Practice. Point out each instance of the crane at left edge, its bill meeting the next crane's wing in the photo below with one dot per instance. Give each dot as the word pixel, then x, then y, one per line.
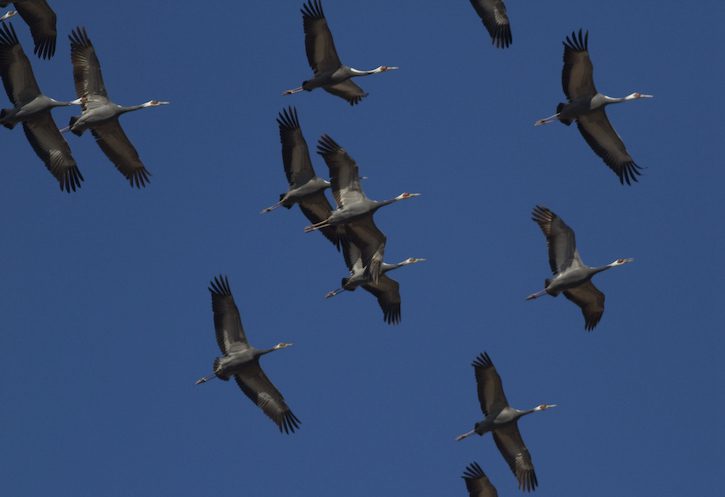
pixel 33 109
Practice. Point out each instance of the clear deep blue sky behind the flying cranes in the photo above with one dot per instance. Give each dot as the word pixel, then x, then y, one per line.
pixel 106 318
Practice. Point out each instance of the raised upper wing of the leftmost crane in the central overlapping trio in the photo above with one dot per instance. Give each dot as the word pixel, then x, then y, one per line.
pixel 295 155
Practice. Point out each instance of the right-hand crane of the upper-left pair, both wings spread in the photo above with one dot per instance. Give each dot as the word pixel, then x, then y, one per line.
pixel 100 115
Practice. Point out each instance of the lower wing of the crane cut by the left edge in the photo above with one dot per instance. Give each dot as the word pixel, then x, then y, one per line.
pixel 53 150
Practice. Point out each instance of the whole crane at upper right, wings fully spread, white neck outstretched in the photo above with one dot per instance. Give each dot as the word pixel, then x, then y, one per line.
pixel 585 105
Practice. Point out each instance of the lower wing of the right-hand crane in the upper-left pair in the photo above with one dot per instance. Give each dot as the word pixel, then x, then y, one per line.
pixel 118 148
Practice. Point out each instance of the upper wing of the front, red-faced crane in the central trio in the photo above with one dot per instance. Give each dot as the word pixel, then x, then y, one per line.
pixel 343 172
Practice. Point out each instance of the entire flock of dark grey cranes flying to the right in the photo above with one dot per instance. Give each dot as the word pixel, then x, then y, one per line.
pixel 350 227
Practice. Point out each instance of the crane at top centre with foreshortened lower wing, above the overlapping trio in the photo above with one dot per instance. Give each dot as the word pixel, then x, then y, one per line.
pixel 330 73
